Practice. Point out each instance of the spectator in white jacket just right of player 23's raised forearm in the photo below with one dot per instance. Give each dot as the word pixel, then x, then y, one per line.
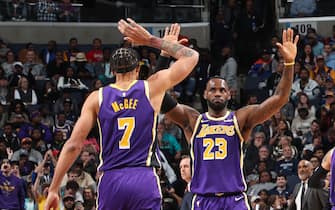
pixel 306 85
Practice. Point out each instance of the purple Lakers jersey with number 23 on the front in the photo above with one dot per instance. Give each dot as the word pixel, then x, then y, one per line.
pixel 216 151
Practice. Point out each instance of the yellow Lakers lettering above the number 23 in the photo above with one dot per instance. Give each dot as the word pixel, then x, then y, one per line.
pixel 215 129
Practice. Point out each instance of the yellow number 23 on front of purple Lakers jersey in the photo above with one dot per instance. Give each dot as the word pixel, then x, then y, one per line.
pixel 209 144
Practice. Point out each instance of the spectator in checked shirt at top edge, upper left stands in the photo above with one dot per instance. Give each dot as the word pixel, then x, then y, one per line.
pixel 47 11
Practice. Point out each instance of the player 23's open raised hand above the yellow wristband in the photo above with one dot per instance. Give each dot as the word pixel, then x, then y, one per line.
pixel 288 49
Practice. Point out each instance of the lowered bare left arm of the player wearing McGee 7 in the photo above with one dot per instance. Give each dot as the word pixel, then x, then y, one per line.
pixel 73 146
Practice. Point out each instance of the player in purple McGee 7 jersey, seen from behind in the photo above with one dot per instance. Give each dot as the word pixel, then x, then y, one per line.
pixel 126 113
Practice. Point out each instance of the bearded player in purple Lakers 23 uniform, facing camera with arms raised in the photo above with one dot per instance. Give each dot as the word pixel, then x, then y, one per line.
pixel 216 137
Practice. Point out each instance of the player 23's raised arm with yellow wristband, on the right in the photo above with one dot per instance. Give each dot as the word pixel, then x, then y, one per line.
pixel 250 116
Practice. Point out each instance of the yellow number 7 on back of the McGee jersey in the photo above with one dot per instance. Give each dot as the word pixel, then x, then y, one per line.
pixel 127 124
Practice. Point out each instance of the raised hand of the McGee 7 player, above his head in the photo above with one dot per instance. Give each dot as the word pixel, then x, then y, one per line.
pixel 133 32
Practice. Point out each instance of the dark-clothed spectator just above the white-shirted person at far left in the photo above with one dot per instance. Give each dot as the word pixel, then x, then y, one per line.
pixel 33 66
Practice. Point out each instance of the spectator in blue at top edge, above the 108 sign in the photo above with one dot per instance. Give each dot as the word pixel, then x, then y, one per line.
pixel 302 8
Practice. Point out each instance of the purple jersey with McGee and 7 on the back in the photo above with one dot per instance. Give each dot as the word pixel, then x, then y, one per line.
pixel 127 124
